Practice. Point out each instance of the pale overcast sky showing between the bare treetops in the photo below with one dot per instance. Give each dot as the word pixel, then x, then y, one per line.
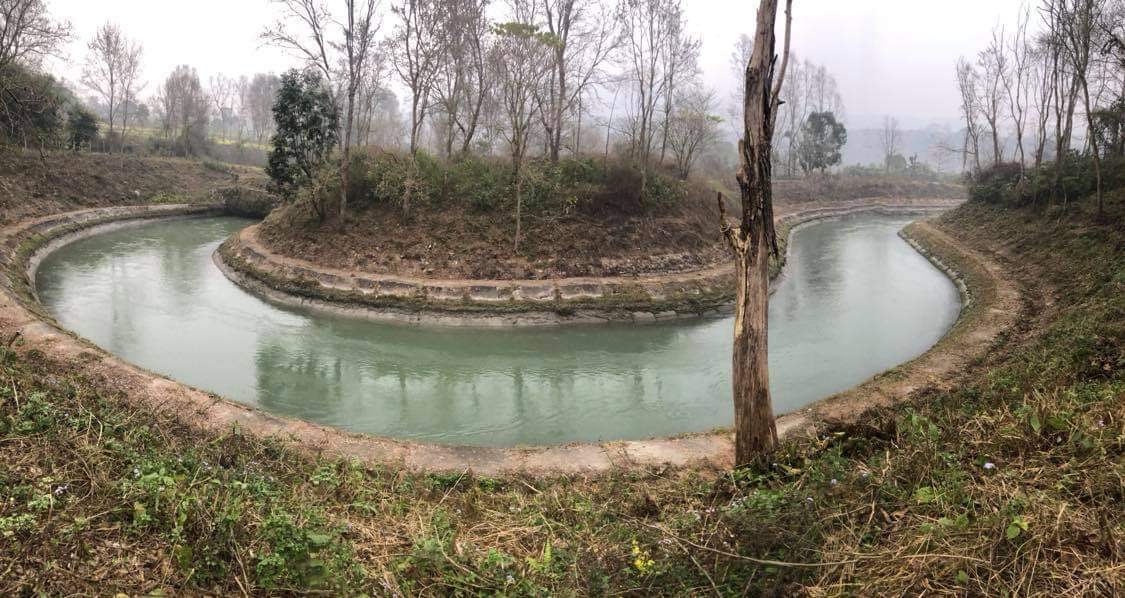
pixel 890 57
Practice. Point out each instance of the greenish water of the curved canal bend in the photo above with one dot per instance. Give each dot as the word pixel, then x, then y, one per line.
pixel 854 301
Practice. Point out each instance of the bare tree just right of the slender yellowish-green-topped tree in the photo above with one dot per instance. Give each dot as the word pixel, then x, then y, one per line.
pixel 587 38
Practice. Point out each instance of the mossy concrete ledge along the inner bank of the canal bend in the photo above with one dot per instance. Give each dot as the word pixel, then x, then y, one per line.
pixel 705 293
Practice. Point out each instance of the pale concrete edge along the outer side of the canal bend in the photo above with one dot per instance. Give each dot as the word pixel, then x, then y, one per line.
pixel 24 246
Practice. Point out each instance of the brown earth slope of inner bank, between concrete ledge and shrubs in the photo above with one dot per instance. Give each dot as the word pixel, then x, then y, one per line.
pixel 457 243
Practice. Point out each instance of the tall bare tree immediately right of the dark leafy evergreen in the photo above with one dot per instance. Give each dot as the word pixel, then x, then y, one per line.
pixel 343 58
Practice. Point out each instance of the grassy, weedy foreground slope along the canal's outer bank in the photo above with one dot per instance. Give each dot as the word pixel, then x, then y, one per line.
pixel 1011 484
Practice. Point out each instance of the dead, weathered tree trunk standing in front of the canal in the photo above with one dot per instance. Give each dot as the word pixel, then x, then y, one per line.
pixel 754 241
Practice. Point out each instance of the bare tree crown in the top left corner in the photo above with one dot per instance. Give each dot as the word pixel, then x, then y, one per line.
pixel 29 34
